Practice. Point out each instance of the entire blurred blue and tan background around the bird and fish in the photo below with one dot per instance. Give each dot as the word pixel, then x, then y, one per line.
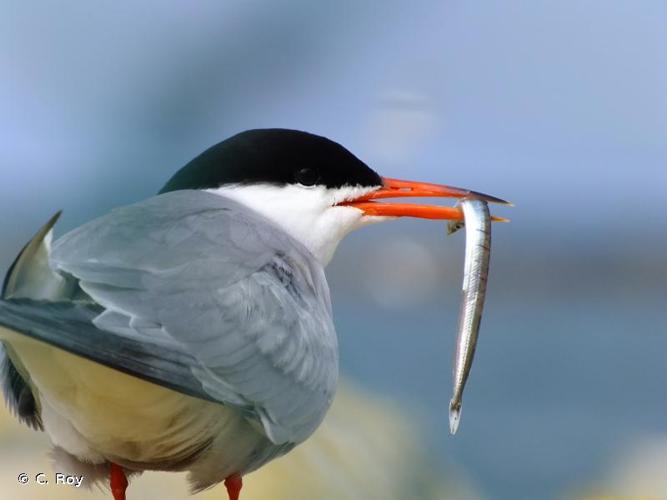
pixel 560 107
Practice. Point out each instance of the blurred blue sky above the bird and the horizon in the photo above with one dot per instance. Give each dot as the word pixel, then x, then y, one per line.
pixel 559 106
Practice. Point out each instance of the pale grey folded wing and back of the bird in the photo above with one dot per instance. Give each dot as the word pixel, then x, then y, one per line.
pixel 199 275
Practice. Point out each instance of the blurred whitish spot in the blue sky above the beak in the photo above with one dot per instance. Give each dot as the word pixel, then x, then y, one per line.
pixel 399 125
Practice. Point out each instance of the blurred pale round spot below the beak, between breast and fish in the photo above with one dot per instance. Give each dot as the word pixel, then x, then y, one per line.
pixel 402 274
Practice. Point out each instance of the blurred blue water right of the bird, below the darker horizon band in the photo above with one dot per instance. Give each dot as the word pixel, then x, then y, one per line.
pixel 559 389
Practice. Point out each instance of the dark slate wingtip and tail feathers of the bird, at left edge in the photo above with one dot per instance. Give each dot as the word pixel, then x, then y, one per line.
pixel 39 303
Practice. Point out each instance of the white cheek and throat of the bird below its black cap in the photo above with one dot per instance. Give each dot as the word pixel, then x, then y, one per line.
pixel 308 214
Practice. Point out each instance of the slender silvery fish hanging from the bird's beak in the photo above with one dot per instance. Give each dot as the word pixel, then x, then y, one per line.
pixel 475 275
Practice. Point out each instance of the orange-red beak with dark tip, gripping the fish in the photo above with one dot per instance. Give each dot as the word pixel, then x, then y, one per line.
pixel 395 188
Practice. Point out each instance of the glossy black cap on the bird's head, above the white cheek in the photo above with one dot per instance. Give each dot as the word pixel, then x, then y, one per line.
pixel 276 157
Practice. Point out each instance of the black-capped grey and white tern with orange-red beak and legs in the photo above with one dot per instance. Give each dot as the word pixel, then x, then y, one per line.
pixel 192 330
